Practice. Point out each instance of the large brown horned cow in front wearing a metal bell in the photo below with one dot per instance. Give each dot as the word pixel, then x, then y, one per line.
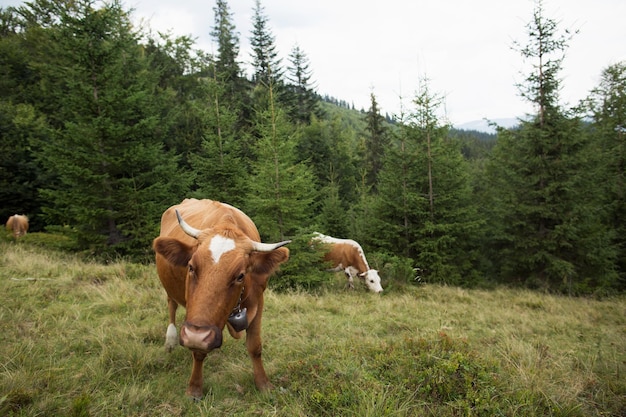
pixel 210 260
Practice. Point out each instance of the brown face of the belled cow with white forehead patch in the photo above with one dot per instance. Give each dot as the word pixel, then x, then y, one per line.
pixel 222 263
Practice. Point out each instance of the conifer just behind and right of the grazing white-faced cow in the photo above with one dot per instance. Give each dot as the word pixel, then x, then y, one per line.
pixel 424 207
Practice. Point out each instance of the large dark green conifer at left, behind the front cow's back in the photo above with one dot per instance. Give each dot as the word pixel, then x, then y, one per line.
pixel 112 178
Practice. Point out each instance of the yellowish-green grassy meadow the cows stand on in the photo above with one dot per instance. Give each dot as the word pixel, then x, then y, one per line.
pixel 85 339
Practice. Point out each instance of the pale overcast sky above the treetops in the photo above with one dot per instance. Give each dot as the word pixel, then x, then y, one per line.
pixel 463 47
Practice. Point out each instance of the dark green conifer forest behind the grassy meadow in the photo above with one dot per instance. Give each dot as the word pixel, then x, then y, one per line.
pixel 104 125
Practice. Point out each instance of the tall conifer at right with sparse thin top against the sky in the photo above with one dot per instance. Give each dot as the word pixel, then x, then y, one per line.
pixel 544 188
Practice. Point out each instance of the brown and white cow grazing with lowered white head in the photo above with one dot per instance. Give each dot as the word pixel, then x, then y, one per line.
pixel 347 255
